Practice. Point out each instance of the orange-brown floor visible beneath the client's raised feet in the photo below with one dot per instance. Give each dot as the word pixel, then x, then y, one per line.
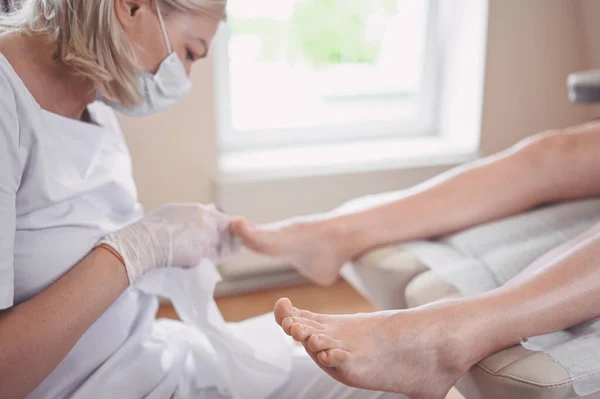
pixel 339 299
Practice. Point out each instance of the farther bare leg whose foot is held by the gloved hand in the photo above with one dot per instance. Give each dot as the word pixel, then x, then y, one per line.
pixel 537 171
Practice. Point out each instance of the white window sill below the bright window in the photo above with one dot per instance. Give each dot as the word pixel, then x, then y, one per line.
pixel 341 158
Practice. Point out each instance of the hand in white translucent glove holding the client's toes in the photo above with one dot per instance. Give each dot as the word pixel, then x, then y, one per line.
pixel 179 235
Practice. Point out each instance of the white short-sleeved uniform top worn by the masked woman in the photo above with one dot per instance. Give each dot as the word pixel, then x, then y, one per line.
pixel 64 184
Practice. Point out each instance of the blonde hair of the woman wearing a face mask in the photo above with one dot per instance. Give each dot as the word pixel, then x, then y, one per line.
pixel 90 40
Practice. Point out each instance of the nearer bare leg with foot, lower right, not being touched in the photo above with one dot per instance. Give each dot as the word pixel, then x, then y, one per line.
pixel 422 352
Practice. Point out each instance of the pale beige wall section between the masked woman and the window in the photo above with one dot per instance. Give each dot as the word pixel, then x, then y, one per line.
pixel 175 153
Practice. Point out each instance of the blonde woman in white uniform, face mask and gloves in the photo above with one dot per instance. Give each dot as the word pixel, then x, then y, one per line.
pixel 72 234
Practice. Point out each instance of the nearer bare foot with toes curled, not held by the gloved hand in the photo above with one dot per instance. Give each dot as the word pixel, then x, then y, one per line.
pixel 409 352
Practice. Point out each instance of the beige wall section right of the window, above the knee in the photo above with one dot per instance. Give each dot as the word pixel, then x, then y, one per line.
pixel 533 45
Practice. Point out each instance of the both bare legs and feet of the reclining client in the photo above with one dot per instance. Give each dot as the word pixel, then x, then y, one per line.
pixel 422 352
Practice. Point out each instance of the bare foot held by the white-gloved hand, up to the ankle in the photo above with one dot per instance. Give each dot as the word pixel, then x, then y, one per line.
pixel 315 248
